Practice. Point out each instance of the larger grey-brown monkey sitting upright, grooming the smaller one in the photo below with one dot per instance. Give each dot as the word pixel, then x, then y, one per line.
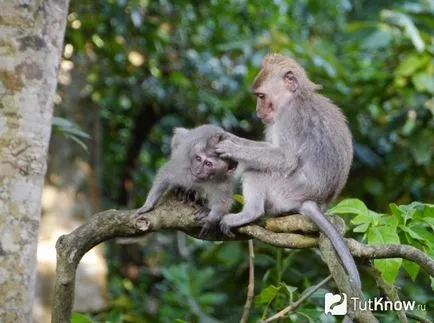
pixel 303 163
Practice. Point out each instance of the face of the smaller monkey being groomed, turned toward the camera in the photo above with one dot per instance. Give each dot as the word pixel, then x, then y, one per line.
pixel 208 167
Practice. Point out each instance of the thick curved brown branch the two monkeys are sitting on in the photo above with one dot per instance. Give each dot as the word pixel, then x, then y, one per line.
pixel 172 215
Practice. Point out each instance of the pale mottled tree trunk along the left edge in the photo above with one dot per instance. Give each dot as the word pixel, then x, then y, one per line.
pixel 31 40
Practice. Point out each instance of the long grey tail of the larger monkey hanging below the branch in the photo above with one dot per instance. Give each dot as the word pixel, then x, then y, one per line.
pixel 311 210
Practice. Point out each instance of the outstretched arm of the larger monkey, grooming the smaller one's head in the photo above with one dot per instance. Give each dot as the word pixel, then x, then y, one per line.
pixel 266 157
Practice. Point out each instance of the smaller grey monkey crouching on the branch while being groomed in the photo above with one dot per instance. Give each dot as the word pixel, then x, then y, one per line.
pixel 195 165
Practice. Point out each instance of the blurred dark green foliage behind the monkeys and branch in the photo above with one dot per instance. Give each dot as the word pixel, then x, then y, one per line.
pixel 148 66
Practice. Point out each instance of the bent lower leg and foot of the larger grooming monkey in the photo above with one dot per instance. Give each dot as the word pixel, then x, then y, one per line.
pixel 254 196
